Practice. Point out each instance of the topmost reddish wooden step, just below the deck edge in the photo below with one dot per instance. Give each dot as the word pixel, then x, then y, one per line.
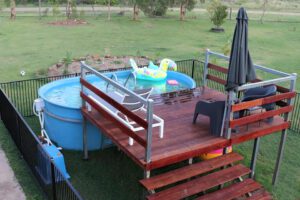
pixel 189 171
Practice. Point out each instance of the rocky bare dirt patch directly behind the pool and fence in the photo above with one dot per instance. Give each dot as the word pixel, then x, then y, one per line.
pixel 97 62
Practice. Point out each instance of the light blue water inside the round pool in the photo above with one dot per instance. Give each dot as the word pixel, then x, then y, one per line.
pixel 68 94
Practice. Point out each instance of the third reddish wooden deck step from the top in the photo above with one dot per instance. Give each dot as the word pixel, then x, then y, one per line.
pixel 233 191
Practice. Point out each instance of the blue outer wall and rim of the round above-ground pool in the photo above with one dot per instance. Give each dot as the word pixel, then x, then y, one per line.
pixel 64 123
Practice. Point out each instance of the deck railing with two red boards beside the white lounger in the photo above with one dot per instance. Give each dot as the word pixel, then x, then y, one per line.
pixel 147 125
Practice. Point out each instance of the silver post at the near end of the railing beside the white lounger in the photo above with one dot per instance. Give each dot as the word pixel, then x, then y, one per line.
pixel 149 130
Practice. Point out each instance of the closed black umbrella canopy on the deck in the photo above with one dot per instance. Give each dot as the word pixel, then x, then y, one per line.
pixel 240 70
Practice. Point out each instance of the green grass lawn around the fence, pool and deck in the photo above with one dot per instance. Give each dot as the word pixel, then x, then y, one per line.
pixel 31 45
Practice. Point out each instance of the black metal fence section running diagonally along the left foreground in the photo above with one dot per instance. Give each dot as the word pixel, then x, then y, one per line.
pixel 48 175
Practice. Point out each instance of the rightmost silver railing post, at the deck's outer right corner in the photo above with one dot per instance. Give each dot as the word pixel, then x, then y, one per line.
pixel 287 117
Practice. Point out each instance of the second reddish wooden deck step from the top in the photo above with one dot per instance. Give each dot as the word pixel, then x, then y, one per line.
pixel 201 184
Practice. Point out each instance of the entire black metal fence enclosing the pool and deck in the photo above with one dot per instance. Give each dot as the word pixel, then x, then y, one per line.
pixel 16 100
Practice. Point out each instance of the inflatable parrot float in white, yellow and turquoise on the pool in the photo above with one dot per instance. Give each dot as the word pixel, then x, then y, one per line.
pixel 153 72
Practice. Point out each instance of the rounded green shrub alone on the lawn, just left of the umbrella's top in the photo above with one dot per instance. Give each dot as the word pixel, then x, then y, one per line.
pixel 217 13
